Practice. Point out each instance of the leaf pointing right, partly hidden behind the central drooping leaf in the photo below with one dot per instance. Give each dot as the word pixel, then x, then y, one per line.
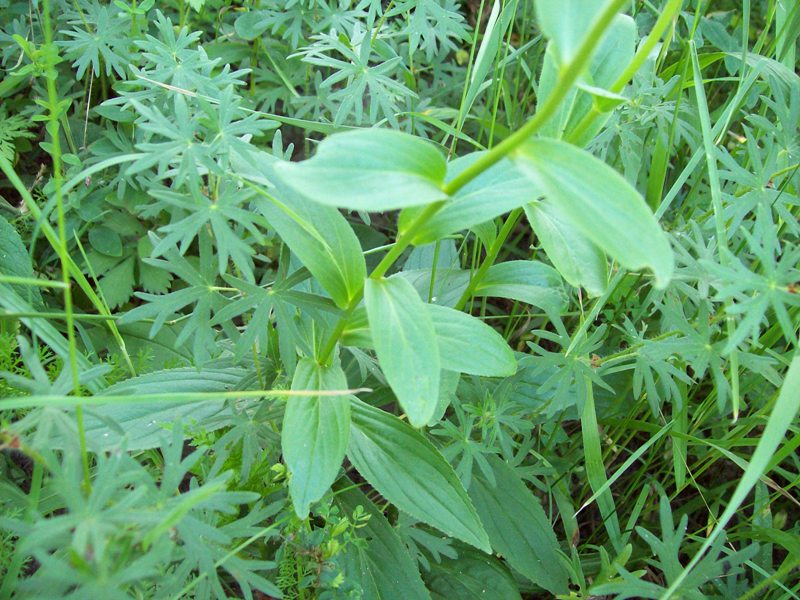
pixel 468 345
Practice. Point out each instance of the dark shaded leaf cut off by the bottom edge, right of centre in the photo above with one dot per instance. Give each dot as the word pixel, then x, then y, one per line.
pixel 471 576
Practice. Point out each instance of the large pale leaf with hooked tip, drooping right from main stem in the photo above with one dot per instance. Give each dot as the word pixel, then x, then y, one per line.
pixel 608 210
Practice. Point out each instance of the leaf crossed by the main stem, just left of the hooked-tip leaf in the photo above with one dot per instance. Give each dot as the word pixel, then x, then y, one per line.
pixel 494 192
